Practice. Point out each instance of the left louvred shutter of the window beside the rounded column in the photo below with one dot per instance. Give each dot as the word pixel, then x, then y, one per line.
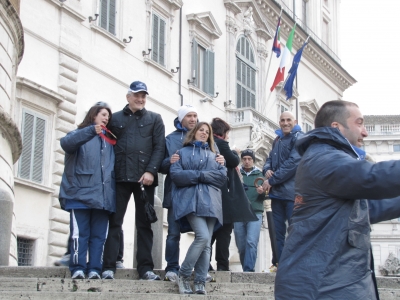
pixel 27 141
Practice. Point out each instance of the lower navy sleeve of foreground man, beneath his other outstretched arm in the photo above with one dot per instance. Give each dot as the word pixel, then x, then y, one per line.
pixel 383 210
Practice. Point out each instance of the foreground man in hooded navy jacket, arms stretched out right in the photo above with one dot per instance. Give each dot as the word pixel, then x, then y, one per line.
pixel 327 254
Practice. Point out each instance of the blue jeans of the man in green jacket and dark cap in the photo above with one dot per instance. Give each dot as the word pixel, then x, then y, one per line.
pixel 247 235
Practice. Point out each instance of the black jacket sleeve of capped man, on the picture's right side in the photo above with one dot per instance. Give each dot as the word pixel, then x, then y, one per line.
pixel 157 154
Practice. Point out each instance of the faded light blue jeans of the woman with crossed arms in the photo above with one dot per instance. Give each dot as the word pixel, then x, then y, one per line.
pixel 198 255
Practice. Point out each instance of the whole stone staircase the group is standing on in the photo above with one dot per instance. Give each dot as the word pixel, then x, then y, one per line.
pixel 52 283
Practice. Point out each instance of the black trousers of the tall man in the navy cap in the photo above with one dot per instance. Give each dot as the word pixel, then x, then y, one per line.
pixel 144 232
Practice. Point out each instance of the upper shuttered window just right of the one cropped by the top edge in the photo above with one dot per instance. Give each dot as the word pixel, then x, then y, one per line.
pixel 158 40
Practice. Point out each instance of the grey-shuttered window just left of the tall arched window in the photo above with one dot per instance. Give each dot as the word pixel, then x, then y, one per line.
pixel 203 68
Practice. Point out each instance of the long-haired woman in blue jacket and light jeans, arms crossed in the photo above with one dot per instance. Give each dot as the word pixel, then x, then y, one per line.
pixel 196 198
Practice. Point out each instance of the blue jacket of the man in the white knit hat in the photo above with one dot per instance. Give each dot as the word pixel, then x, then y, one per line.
pixel 173 142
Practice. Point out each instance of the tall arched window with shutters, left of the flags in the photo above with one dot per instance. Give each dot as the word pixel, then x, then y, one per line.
pixel 245 74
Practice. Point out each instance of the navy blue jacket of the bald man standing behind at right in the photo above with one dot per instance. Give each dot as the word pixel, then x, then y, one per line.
pixel 283 160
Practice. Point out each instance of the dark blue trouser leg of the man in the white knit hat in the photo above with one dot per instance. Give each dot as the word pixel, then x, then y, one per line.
pixel 172 243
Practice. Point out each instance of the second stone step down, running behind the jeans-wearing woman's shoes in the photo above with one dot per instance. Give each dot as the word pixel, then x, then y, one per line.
pixel 127 286
